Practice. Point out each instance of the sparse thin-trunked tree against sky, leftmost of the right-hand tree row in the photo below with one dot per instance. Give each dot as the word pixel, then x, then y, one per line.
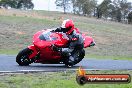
pixel 65 4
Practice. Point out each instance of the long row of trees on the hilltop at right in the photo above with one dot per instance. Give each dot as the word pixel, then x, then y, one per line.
pixel 115 10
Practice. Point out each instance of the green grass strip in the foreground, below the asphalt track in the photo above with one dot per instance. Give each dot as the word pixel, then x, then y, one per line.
pixel 55 80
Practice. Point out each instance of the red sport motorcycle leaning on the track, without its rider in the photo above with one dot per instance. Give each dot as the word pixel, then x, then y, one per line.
pixel 42 49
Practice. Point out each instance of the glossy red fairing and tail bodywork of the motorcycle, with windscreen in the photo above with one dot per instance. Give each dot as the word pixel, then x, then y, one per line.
pixel 44 44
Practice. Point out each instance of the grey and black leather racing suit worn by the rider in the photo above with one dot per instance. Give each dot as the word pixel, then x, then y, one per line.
pixel 78 44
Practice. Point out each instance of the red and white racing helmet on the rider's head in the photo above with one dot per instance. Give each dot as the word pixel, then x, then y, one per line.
pixel 67 26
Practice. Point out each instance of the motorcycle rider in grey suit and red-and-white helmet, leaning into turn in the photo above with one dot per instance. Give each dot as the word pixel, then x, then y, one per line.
pixel 75 38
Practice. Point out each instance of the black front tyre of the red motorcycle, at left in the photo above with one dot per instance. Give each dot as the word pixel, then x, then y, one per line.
pixel 23 57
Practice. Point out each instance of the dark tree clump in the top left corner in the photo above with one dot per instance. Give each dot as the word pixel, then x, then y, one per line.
pixel 17 4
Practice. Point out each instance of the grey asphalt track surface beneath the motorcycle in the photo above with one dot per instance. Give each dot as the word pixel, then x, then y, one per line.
pixel 8 63
